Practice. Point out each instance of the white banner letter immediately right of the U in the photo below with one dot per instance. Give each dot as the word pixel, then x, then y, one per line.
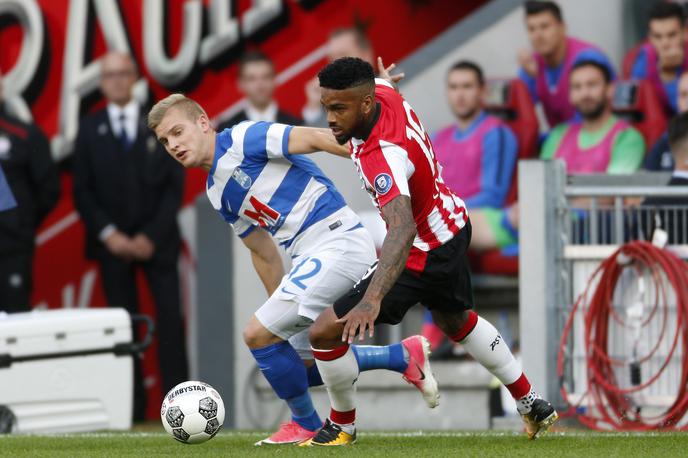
pixel 224 31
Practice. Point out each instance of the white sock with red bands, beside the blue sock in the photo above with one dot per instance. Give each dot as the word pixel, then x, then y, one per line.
pixel 339 375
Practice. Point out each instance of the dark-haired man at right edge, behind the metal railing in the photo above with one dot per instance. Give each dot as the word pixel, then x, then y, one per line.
pixel 671 213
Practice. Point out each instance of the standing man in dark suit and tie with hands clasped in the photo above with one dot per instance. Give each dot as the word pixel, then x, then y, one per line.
pixel 128 192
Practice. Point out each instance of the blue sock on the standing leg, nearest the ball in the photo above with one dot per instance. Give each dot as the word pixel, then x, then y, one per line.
pixel 284 370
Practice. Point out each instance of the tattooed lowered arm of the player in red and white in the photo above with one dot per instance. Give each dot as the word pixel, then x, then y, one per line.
pixel 401 230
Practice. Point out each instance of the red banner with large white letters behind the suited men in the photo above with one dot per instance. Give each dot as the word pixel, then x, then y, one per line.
pixel 49 60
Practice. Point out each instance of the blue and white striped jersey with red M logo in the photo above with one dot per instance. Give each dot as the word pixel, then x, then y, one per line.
pixel 255 182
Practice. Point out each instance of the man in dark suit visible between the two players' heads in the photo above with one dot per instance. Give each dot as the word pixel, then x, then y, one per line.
pixel 256 82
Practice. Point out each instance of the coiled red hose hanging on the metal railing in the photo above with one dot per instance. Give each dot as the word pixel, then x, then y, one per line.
pixel 605 397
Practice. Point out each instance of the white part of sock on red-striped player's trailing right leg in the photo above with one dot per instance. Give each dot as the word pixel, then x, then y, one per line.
pixel 488 348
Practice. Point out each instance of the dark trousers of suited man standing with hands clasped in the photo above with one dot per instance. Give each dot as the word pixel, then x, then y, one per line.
pixel 119 283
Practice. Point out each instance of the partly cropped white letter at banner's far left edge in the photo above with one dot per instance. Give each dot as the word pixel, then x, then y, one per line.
pixel 28 14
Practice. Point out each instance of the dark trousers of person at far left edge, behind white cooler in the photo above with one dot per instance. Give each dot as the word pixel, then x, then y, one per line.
pixel 15 282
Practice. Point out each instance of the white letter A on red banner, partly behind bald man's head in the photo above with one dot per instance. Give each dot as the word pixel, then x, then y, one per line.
pixel 79 80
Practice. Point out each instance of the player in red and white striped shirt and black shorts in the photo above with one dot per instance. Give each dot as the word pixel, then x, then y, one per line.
pixel 423 256
